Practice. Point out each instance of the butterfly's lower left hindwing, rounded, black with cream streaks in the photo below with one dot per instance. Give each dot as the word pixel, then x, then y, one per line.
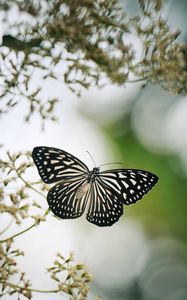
pixel 64 198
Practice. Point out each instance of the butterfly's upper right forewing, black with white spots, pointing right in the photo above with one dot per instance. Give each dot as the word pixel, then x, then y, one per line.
pixel 129 185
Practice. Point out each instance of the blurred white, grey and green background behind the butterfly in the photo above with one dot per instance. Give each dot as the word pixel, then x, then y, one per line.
pixel 144 255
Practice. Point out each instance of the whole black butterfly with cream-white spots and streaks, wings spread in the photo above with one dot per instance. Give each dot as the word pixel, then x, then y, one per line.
pixel 104 193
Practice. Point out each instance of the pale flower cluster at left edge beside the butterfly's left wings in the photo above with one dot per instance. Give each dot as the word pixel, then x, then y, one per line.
pixel 14 190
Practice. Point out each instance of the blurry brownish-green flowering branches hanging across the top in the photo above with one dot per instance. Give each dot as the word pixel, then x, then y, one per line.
pixel 88 42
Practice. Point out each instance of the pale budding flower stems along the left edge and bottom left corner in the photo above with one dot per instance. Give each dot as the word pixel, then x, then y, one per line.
pixel 15 200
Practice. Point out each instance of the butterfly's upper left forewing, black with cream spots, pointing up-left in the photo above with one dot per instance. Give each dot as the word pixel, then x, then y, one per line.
pixel 55 165
